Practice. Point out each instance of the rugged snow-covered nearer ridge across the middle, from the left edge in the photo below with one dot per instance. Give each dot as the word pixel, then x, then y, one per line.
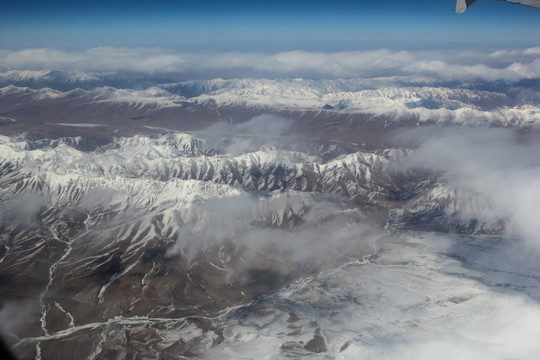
pixel 179 156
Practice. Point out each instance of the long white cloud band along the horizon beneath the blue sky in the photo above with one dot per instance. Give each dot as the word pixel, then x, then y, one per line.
pixel 445 64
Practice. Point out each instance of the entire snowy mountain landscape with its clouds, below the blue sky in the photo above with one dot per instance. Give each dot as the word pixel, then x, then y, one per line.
pixel 359 205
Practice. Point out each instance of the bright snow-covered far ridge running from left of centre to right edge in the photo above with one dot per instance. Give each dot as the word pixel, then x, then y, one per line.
pixel 373 96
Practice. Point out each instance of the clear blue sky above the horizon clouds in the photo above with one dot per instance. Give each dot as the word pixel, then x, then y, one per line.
pixel 267 25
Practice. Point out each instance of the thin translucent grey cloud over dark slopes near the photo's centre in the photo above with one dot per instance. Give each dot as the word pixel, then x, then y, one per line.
pixel 295 228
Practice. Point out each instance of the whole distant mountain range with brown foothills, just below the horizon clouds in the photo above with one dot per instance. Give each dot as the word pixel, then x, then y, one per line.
pixel 37 100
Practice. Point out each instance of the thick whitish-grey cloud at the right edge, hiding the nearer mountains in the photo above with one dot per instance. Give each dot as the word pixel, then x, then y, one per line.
pixel 495 176
